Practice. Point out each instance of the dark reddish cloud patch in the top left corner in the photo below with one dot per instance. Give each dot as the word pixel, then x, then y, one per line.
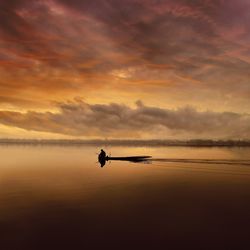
pixel 20 36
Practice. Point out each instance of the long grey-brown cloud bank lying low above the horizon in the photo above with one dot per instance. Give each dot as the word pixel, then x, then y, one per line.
pixel 118 121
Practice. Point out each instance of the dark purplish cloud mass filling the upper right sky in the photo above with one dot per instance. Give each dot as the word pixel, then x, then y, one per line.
pixel 184 34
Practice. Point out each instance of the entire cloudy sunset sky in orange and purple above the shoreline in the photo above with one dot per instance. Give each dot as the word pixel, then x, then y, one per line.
pixel 144 69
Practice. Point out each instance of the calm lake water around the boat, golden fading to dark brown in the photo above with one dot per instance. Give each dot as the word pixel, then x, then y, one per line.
pixel 186 198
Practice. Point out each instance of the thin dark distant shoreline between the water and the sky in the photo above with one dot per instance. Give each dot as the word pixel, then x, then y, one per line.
pixel 137 143
